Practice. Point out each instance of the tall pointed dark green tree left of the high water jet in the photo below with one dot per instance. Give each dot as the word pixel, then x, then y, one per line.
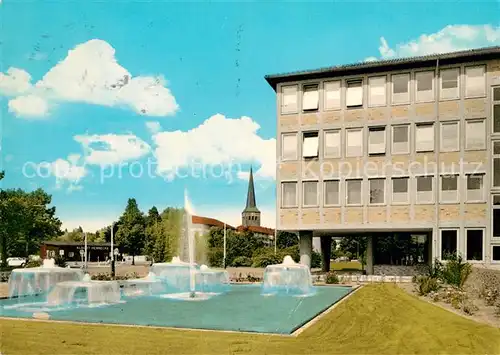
pixel 131 229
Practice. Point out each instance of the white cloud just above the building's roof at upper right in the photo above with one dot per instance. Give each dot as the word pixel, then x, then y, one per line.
pixel 449 39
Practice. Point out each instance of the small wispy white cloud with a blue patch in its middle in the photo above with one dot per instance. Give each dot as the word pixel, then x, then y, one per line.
pixel 112 148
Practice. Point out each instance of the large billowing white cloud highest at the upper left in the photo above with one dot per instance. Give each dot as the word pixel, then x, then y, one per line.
pixel 91 74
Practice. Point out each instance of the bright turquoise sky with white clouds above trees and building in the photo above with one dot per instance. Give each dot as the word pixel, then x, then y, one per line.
pixel 104 101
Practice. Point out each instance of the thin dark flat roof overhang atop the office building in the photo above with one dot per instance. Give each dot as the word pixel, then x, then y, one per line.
pixel 385 65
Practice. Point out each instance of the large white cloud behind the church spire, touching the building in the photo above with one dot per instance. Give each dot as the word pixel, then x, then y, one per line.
pixel 217 141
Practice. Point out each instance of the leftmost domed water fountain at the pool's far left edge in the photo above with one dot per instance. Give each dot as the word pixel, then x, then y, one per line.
pixel 40 280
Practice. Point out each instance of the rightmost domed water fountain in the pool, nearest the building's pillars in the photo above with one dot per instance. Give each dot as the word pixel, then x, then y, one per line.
pixel 288 278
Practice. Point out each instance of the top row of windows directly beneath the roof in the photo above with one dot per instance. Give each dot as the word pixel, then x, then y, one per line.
pixel 474 81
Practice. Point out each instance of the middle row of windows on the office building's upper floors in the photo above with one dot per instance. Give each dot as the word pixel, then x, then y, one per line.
pixel 353 140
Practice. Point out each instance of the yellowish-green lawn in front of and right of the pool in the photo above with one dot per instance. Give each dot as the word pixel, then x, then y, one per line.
pixel 377 319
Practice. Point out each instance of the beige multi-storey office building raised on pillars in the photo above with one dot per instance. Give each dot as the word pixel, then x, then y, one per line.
pixel 407 145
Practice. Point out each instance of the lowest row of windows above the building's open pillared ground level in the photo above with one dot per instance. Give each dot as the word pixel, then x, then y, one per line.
pixel 423 187
